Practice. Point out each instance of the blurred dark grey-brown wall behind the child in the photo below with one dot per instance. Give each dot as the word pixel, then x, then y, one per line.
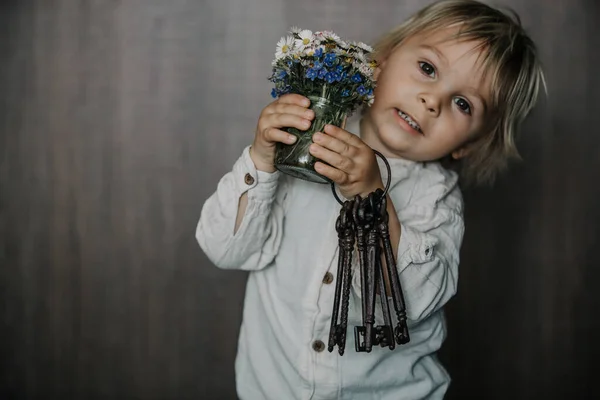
pixel 118 117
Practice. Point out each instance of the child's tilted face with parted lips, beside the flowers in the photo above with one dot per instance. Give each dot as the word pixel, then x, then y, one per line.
pixel 437 84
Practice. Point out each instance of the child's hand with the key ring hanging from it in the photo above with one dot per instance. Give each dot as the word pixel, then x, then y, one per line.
pixel 352 164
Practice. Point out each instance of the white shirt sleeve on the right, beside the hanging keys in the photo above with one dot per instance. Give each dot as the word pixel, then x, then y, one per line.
pixel 432 229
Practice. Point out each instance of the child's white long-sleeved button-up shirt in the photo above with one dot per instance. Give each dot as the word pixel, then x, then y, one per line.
pixel 288 242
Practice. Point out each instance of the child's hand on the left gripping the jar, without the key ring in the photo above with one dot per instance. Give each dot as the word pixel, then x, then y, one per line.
pixel 289 111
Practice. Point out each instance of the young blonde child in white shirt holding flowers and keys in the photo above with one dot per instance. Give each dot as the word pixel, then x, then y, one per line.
pixel 453 84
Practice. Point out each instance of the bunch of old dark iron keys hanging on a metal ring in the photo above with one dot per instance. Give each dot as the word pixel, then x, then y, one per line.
pixel 365 221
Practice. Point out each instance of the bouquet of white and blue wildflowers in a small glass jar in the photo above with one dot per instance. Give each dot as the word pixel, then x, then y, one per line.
pixel 337 76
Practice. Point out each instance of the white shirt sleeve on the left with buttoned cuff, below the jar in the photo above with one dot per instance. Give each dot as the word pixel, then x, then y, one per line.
pixel 257 240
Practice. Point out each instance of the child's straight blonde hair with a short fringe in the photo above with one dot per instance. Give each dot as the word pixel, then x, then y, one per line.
pixel 511 56
